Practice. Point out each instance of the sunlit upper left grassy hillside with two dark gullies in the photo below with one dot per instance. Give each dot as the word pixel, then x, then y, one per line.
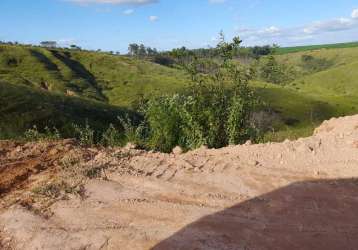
pixel 104 77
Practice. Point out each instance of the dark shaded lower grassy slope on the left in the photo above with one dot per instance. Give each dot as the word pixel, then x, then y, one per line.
pixel 21 107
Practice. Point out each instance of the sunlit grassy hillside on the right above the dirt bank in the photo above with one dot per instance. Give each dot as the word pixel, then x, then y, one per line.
pixel 335 90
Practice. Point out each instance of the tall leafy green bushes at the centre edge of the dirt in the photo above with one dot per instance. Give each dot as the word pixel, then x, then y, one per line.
pixel 214 111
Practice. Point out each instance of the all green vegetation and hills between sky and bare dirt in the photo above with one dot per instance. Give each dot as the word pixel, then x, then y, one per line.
pixel 63 91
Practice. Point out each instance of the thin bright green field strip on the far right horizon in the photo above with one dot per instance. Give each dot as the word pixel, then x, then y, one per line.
pixel 286 50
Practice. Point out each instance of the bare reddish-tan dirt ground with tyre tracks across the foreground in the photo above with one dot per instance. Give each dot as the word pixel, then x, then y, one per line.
pixel 293 195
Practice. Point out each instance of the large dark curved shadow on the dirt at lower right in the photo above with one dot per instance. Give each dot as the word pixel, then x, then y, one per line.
pixel 304 215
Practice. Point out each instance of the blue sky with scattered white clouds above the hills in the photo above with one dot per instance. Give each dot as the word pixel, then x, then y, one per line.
pixel 165 24
